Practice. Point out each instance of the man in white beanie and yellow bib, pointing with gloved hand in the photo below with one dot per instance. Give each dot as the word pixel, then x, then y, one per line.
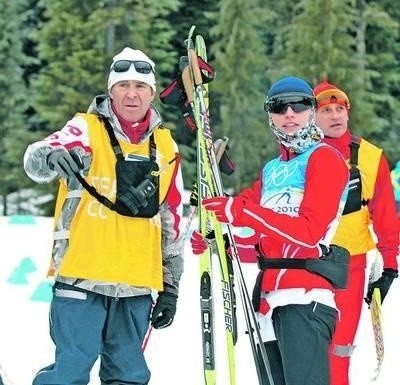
pixel 118 233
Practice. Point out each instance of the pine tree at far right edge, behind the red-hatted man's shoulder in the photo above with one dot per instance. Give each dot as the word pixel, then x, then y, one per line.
pixel 382 43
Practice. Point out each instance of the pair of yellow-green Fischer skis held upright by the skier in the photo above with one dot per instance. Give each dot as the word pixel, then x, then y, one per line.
pixel 197 93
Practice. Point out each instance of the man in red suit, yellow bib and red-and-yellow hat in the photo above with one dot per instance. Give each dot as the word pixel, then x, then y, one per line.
pixel 370 202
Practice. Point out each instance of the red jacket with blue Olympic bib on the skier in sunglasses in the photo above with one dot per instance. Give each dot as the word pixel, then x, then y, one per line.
pixel 295 205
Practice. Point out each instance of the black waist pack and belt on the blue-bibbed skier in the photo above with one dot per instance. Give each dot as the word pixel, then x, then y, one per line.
pixel 333 265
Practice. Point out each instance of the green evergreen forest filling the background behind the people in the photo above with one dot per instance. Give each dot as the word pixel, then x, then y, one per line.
pixel 56 56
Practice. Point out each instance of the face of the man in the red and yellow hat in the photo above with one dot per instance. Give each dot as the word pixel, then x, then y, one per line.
pixel 332 119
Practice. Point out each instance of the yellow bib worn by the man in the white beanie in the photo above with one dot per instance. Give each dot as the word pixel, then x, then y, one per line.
pixel 106 246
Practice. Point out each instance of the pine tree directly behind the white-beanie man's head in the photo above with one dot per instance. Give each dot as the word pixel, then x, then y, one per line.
pixel 77 42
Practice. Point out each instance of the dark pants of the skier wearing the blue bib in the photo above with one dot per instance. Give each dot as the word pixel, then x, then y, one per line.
pixel 300 354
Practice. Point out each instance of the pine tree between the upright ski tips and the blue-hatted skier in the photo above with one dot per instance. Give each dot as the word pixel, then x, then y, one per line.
pixel 240 87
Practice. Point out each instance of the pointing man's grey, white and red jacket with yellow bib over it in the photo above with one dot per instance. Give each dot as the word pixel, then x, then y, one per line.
pixel 146 258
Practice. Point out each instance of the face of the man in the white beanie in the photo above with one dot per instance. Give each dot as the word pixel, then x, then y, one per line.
pixel 132 99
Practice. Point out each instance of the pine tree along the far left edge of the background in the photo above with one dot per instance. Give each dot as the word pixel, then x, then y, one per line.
pixel 14 101
